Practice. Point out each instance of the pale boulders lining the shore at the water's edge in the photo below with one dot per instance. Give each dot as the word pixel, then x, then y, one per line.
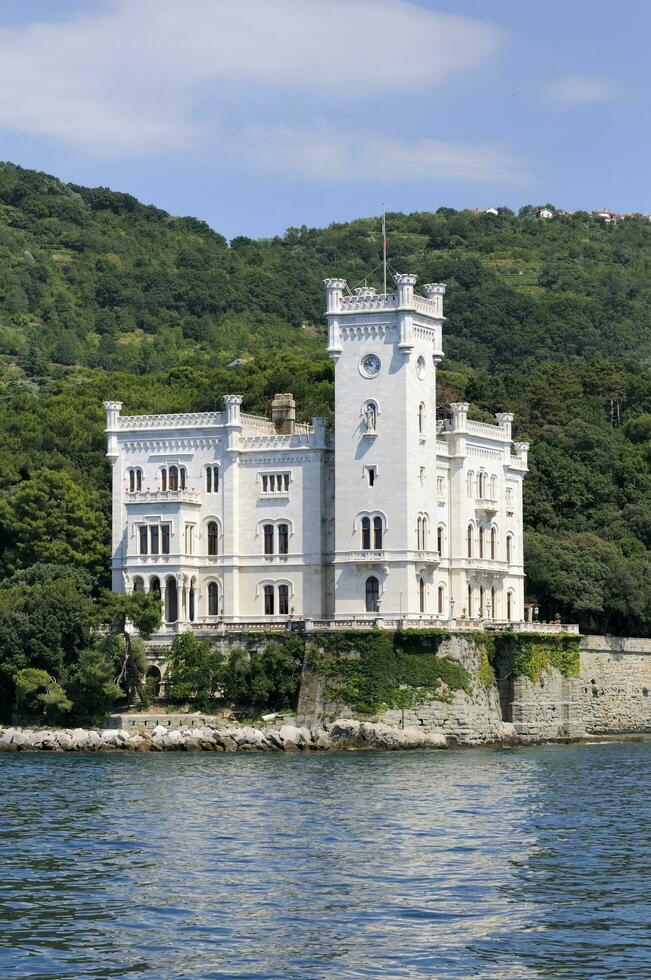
pixel 344 734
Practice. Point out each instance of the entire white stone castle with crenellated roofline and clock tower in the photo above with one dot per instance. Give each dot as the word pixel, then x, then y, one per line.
pixel 235 518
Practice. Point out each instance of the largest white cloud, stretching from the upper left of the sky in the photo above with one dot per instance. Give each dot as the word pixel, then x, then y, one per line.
pixel 147 76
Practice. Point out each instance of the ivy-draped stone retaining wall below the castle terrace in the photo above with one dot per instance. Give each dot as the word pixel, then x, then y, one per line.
pixel 474 687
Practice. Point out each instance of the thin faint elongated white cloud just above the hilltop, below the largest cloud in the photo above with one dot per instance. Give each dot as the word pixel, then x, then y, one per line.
pixel 319 151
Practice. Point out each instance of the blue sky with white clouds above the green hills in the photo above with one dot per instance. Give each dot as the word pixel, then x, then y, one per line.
pixel 260 114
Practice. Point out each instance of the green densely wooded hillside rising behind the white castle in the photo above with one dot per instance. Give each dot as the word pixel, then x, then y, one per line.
pixel 103 297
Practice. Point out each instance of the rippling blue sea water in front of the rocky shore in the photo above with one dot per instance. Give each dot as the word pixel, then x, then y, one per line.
pixel 456 864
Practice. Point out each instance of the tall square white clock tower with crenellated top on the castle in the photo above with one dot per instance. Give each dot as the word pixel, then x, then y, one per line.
pixel 386 348
